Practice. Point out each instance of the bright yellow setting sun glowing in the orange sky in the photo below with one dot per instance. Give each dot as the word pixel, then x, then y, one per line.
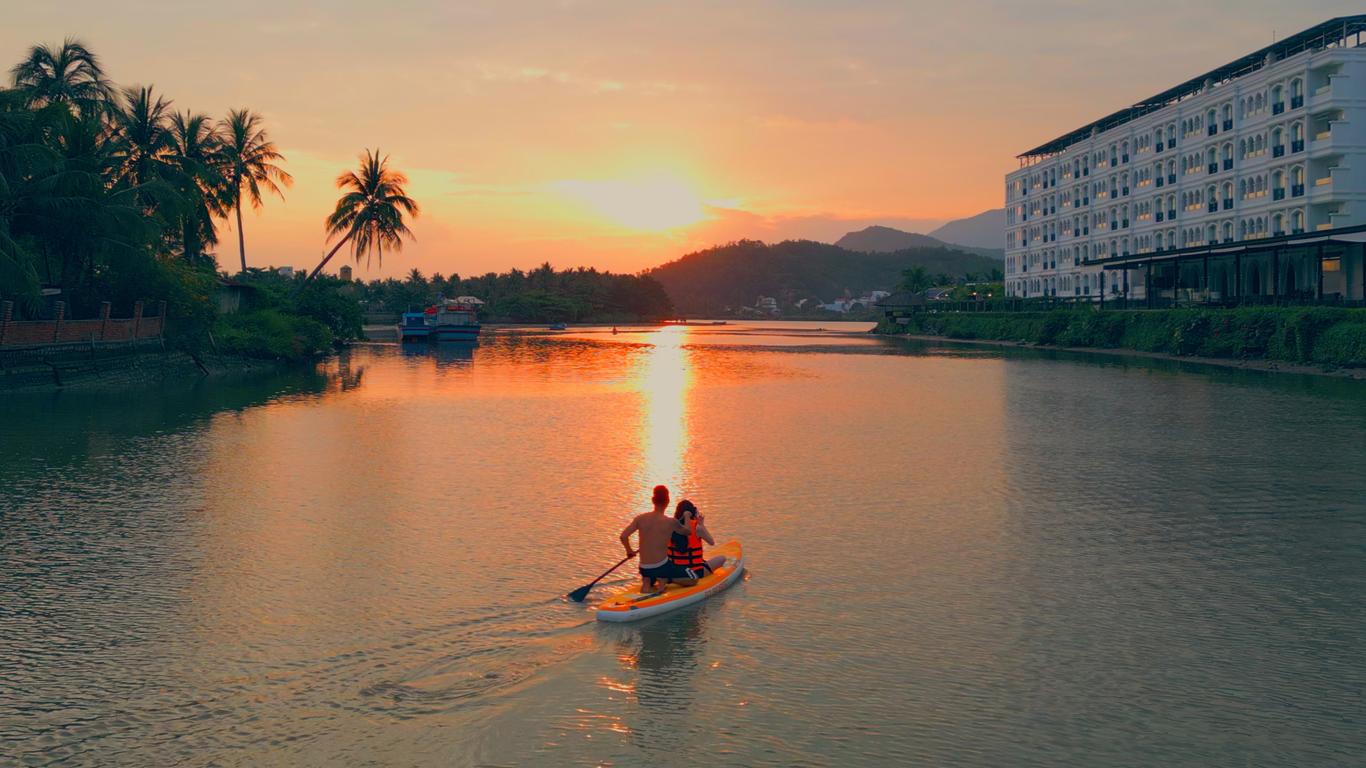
pixel 645 204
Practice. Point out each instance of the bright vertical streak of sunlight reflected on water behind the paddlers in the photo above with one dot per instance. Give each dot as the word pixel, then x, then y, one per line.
pixel 663 379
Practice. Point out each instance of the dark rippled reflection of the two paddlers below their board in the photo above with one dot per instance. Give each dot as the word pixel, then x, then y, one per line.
pixel 666 655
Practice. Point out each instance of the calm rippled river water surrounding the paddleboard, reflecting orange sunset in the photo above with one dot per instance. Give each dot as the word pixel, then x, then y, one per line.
pixel 957 558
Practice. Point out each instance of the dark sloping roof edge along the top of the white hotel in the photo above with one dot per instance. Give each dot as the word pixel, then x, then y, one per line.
pixel 1331 33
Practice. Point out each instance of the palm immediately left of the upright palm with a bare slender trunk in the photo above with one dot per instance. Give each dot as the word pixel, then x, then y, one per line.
pixel 196 151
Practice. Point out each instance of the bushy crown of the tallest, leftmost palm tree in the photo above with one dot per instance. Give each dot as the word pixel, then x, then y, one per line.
pixel 70 76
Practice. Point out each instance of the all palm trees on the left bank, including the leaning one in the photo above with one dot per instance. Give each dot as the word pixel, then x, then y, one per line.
pixel 117 195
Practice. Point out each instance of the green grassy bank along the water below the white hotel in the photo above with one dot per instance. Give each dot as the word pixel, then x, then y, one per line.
pixel 1307 335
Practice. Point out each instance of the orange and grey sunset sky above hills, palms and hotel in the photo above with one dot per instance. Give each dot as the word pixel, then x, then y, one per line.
pixel 622 135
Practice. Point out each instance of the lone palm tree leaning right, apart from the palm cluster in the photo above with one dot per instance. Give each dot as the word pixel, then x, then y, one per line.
pixel 371 214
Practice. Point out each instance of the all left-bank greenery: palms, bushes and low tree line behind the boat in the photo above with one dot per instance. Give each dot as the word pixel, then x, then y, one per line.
pixel 114 195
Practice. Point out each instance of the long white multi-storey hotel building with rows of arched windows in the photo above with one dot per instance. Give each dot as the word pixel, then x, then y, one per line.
pixel 1245 184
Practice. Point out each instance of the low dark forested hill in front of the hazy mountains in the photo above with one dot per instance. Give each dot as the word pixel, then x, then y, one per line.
pixel 712 281
